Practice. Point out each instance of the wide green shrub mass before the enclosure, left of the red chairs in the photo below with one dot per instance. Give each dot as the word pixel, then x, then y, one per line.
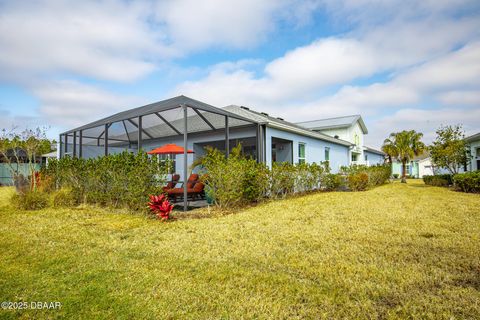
pixel 118 180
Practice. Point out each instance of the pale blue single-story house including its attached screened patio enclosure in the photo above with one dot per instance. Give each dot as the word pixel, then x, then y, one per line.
pixel 195 125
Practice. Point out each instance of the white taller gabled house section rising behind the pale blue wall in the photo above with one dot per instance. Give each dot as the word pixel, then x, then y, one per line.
pixel 352 129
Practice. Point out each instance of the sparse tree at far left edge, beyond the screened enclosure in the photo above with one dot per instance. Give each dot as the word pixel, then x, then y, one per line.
pixel 23 147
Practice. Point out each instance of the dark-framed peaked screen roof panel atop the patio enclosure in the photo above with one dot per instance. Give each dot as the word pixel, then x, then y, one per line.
pixel 160 106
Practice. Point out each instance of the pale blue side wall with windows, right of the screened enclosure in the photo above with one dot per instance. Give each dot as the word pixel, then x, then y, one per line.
pixel 314 149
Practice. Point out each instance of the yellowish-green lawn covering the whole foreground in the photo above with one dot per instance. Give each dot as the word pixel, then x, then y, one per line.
pixel 398 251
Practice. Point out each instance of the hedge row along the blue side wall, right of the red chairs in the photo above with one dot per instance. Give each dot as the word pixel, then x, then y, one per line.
pixel 237 180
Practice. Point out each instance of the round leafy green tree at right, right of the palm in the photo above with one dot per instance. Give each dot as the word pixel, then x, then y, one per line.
pixel 449 150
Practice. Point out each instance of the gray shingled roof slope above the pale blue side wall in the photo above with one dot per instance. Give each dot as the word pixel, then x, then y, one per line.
pixel 281 124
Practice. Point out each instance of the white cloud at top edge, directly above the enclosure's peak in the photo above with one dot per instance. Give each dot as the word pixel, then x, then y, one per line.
pixel 195 24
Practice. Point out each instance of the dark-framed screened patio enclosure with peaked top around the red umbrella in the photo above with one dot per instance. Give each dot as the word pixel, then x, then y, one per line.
pixel 181 120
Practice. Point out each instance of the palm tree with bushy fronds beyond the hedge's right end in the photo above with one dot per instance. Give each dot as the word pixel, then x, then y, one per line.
pixel 403 146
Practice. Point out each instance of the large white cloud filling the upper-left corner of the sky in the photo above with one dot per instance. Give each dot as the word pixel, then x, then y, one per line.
pixel 104 40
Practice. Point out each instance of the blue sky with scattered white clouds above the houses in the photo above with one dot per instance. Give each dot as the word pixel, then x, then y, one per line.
pixel 400 64
